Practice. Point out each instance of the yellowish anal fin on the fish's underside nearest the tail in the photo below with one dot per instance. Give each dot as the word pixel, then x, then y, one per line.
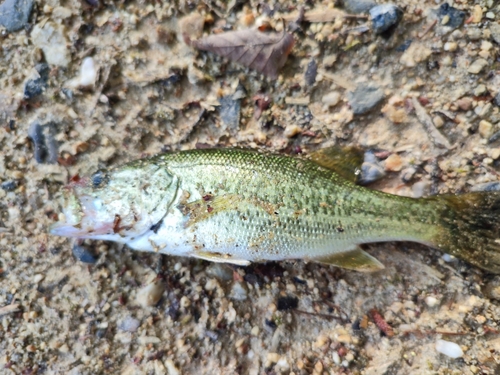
pixel 357 260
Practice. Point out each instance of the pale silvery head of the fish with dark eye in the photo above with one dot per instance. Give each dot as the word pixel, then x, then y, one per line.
pixel 117 204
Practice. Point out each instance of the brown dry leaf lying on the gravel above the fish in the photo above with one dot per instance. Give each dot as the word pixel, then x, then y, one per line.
pixel 263 52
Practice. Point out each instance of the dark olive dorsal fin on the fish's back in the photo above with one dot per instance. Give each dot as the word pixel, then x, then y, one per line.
pixel 345 161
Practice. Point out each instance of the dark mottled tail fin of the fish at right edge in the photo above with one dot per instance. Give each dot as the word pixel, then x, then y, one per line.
pixel 470 228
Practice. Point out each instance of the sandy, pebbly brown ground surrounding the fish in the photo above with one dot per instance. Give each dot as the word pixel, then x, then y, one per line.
pixel 432 129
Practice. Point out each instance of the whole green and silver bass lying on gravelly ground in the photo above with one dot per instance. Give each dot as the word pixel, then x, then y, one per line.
pixel 241 206
